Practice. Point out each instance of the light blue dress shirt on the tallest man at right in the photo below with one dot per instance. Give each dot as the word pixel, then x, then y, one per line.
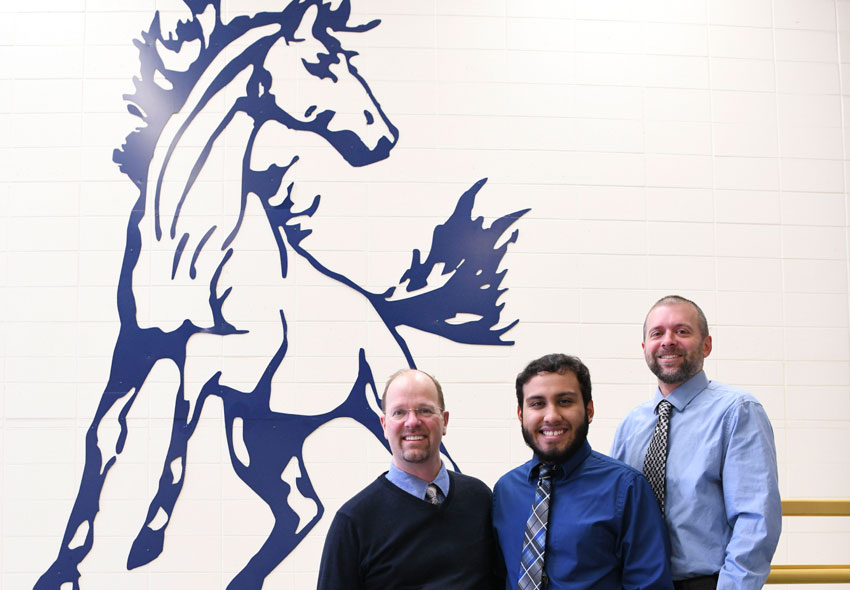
pixel 722 504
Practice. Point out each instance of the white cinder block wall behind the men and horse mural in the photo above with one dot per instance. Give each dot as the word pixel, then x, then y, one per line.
pixel 696 147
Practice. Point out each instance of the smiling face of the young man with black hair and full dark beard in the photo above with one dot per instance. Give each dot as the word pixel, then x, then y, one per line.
pixel 553 416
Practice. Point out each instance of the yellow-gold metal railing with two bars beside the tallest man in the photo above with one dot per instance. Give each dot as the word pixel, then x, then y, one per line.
pixel 812 574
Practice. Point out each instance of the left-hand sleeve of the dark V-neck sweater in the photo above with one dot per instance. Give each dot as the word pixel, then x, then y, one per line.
pixel 340 565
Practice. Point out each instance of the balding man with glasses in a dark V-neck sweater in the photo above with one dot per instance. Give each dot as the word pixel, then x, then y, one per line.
pixel 417 525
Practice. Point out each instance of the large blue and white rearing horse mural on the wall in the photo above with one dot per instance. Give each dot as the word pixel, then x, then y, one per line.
pixel 208 90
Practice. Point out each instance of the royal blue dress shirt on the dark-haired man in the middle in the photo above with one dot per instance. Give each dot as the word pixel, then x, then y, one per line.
pixel 605 528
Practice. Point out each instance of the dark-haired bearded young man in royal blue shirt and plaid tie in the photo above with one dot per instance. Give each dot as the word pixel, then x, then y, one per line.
pixel 605 530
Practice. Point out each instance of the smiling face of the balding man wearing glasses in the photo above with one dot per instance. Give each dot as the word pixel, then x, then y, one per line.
pixel 414 424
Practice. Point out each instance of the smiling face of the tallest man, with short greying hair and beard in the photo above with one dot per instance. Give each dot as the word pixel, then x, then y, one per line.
pixel 673 344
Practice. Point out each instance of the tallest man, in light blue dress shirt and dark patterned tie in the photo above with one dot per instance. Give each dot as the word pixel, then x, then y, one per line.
pixel 721 503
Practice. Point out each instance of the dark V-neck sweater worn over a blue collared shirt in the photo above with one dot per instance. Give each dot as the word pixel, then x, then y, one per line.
pixel 384 538
